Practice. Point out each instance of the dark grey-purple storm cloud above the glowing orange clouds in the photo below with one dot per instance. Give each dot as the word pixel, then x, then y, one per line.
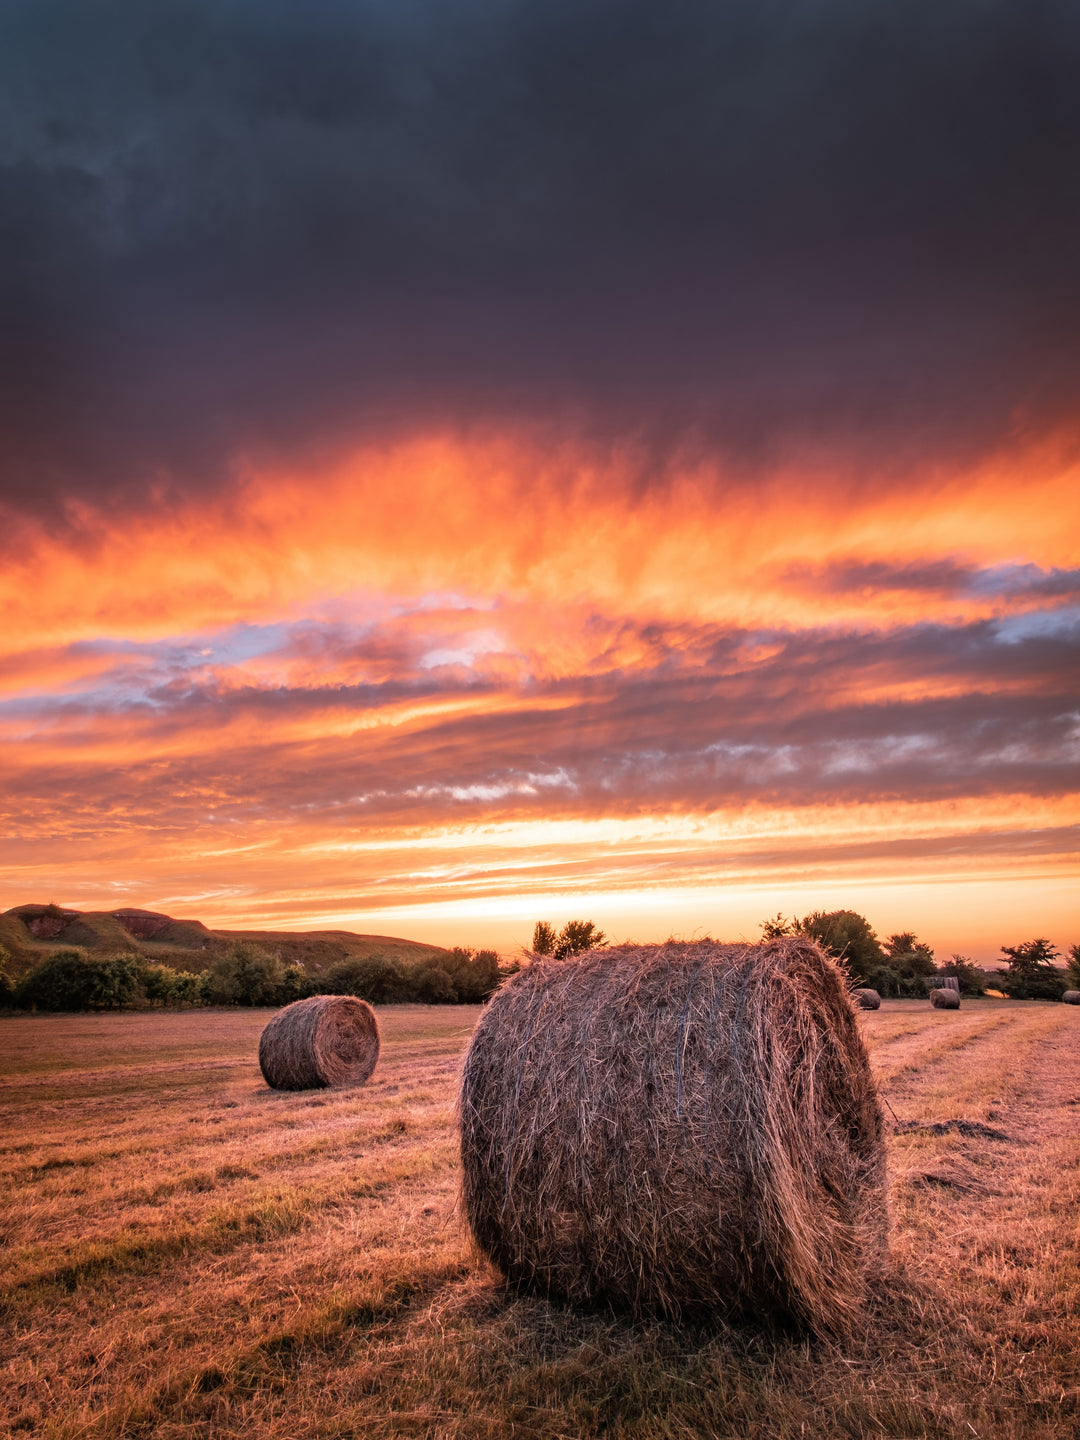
pixel 273 225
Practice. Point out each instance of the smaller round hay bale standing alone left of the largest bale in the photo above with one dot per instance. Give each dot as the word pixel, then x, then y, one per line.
pixel 329 1040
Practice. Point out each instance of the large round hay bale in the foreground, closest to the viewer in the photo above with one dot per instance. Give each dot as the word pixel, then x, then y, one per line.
pixel 678 1130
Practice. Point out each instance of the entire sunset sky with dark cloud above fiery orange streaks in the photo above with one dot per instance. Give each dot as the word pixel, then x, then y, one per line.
pixel 473 462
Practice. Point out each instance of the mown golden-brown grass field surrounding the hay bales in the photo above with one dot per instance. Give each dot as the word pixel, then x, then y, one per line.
pixel 191 1255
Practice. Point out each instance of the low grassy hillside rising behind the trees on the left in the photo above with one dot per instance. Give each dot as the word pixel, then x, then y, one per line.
pixel 30 932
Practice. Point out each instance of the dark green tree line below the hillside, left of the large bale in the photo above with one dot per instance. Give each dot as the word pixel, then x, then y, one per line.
pixel 247 974
